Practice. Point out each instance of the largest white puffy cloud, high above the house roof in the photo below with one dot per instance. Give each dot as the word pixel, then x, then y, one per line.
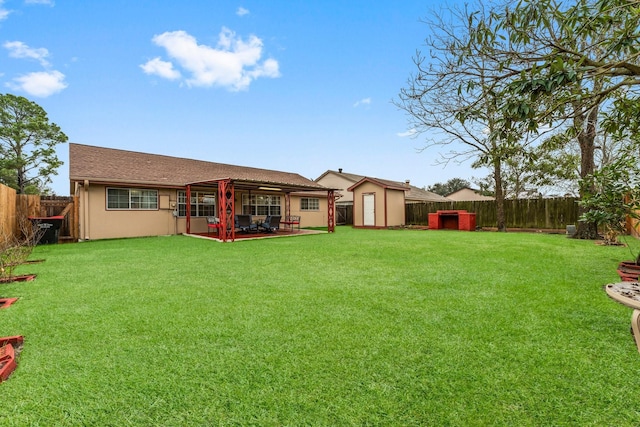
pixel 234 63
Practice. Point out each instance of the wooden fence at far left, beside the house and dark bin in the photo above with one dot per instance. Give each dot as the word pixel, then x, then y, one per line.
pixel 15 210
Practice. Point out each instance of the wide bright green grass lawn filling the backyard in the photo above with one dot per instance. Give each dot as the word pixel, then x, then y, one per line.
pixel 359 327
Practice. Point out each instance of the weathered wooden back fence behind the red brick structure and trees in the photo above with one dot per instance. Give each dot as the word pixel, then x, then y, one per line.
pixel 551 214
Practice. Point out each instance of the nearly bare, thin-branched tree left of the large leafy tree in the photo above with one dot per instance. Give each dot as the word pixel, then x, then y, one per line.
pixel 452 100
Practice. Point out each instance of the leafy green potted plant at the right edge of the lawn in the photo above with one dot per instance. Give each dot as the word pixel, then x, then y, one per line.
pixel 612 202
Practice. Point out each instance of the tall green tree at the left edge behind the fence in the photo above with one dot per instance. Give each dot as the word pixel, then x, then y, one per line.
pixel 27 145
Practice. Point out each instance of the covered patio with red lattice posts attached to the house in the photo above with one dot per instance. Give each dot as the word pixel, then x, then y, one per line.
pixel 225 189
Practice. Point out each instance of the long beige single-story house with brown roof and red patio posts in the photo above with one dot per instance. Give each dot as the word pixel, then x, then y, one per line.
pixel 131 194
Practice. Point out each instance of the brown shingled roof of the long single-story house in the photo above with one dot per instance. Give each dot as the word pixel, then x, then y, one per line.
pixel 111 166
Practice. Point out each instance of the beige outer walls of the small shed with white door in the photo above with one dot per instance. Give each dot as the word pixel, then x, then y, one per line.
pixel 389 205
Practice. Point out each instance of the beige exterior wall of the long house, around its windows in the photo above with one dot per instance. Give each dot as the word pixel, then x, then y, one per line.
pixel 96 222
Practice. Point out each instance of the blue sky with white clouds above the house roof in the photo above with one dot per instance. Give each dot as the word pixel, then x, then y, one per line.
pixel 298 86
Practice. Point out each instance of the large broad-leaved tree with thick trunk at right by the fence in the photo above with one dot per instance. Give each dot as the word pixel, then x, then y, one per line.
pixel 565 63
